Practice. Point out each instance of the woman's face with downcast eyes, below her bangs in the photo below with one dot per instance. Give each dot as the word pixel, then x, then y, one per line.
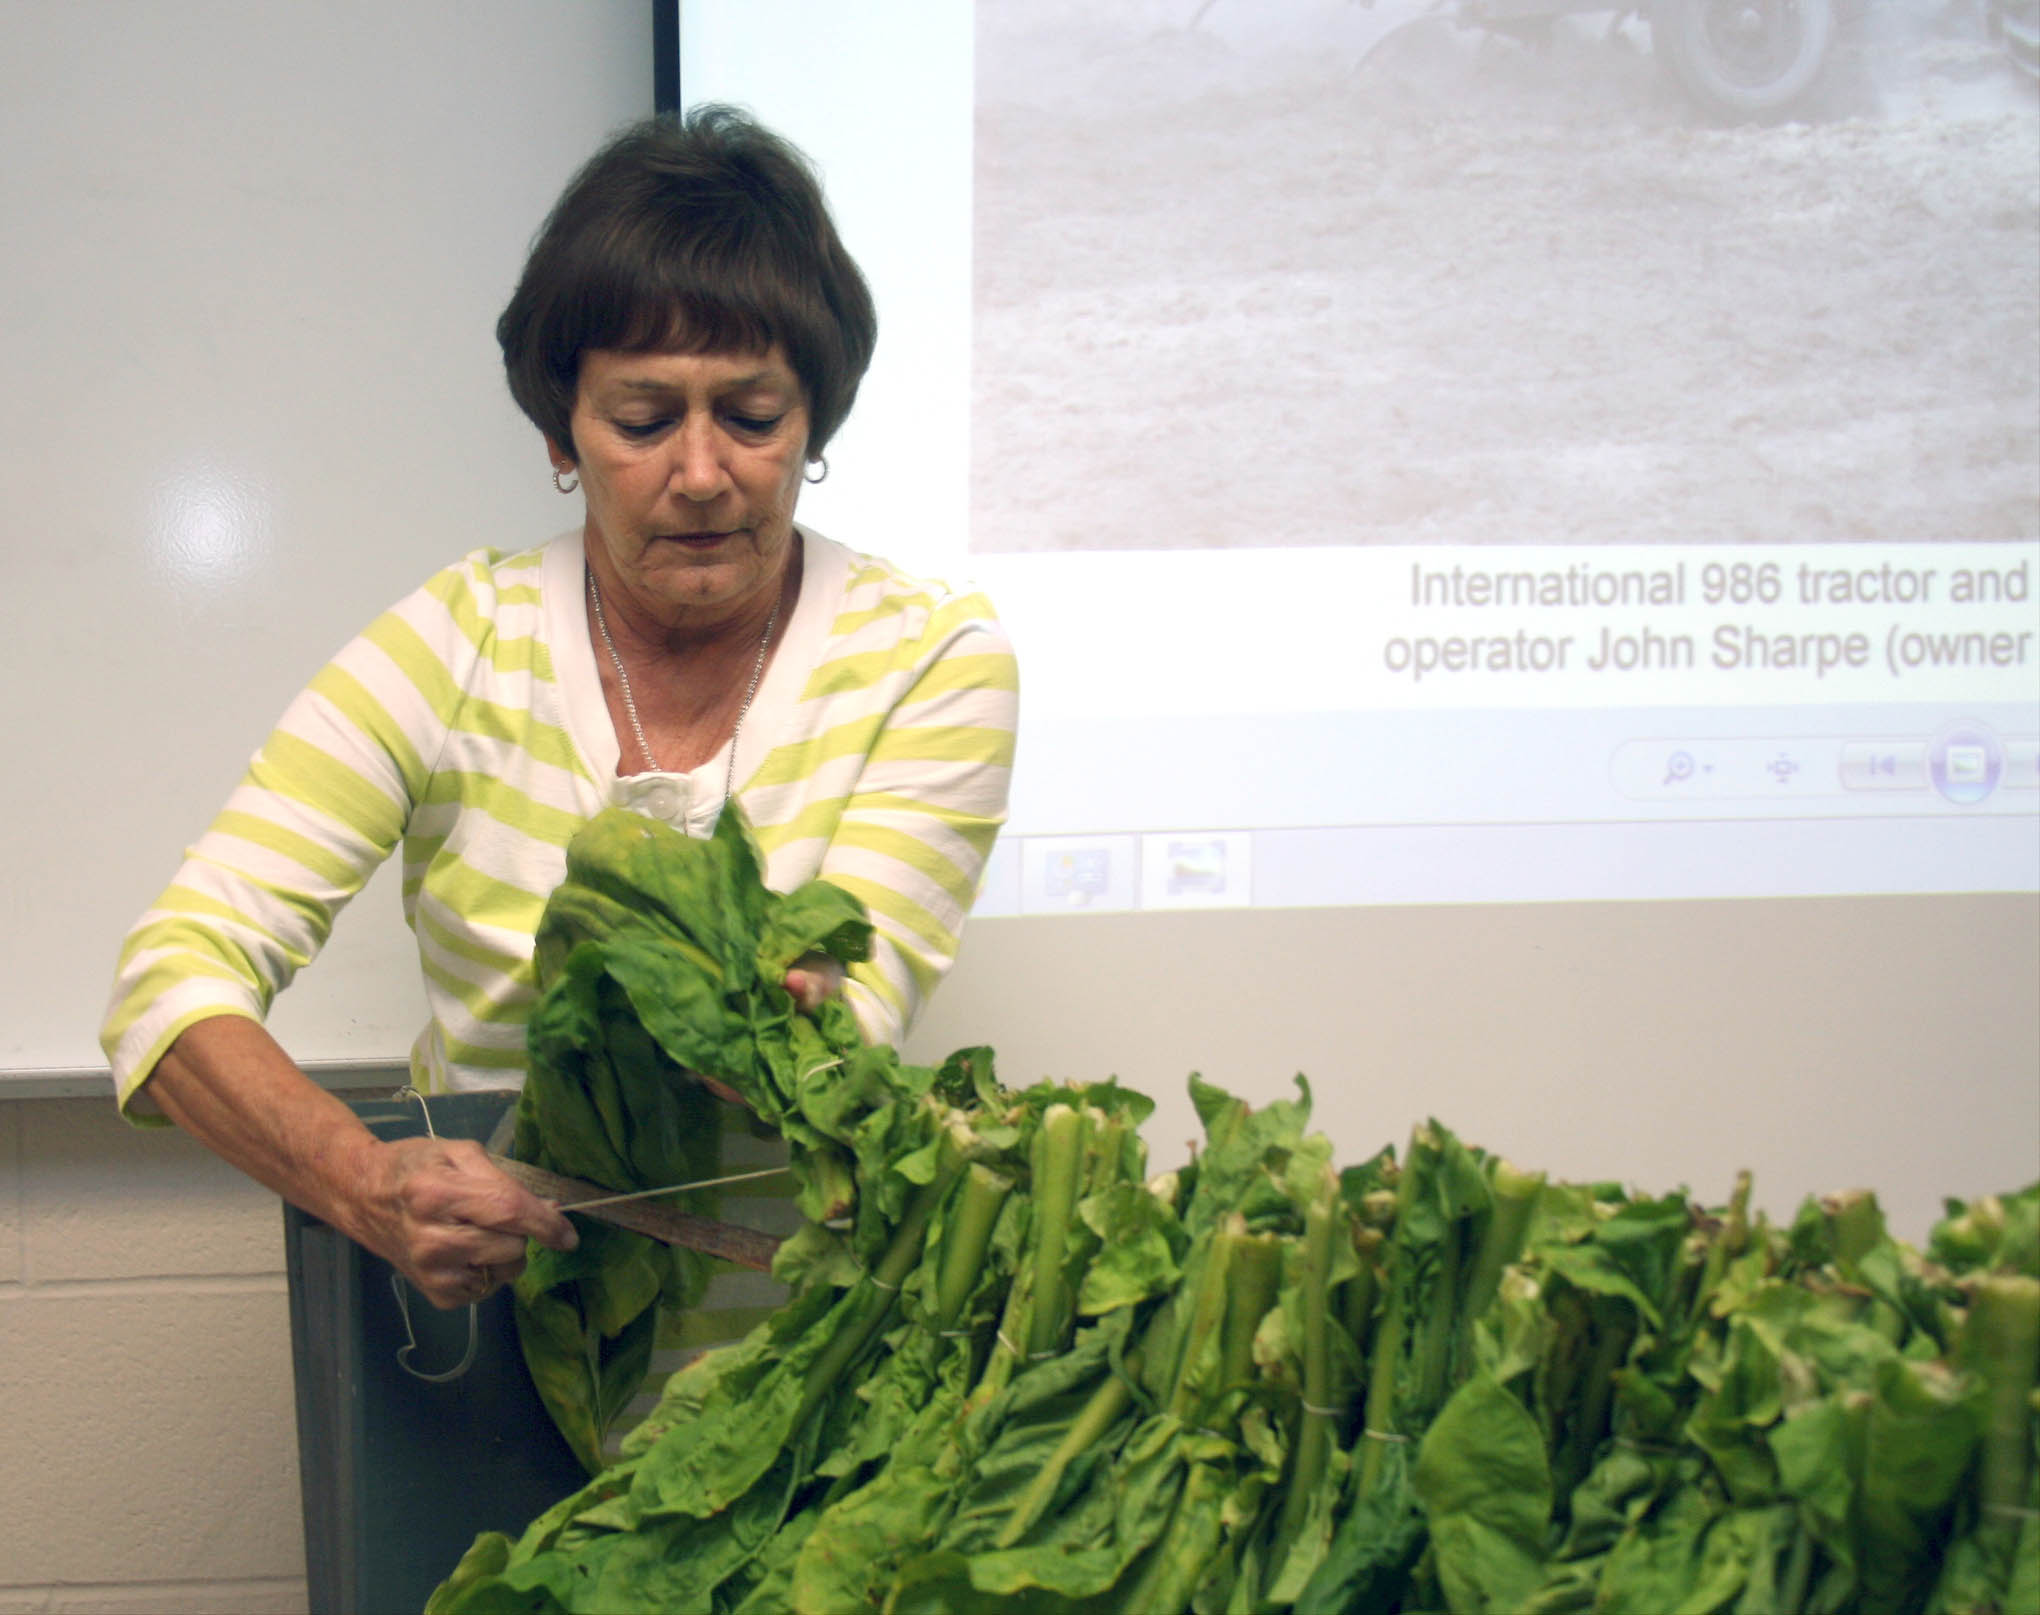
pixel 691 464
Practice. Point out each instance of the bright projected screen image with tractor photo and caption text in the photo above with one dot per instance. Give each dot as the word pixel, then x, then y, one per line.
pixel 1421 468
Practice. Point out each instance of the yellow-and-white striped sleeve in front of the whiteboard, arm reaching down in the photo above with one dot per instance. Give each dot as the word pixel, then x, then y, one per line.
pixel 319 809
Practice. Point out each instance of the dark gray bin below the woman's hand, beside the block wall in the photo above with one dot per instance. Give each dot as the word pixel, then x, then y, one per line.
pixel 403 1475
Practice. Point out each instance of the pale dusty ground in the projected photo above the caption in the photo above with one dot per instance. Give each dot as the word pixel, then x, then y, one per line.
pixel 1239 286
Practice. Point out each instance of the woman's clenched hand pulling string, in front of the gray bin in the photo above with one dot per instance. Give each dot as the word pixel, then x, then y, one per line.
pixel 442 1214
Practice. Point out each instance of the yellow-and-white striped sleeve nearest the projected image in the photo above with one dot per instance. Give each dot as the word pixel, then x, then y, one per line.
pixel 919 827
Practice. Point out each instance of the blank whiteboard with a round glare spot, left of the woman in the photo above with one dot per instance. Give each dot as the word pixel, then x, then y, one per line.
pixel 252 258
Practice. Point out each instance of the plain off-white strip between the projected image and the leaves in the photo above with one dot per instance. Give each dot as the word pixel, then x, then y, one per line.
pixel 1886 1043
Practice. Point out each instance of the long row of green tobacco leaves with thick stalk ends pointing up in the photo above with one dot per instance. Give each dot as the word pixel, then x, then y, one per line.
pixel 1015 1373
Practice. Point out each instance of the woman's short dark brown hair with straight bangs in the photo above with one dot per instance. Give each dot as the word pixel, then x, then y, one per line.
pixel 703 233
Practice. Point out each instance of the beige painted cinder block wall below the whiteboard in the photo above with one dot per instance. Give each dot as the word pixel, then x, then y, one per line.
pixel 146 1375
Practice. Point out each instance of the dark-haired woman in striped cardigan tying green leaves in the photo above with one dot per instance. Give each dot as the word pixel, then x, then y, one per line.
pixel 688 333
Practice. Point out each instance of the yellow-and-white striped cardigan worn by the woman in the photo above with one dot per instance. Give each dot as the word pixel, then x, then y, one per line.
pixel 468 725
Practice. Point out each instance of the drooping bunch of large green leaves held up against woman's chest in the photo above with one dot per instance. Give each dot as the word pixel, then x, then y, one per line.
pixel 658 957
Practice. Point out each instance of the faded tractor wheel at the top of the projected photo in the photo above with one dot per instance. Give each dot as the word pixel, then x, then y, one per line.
pixel 1743 60
